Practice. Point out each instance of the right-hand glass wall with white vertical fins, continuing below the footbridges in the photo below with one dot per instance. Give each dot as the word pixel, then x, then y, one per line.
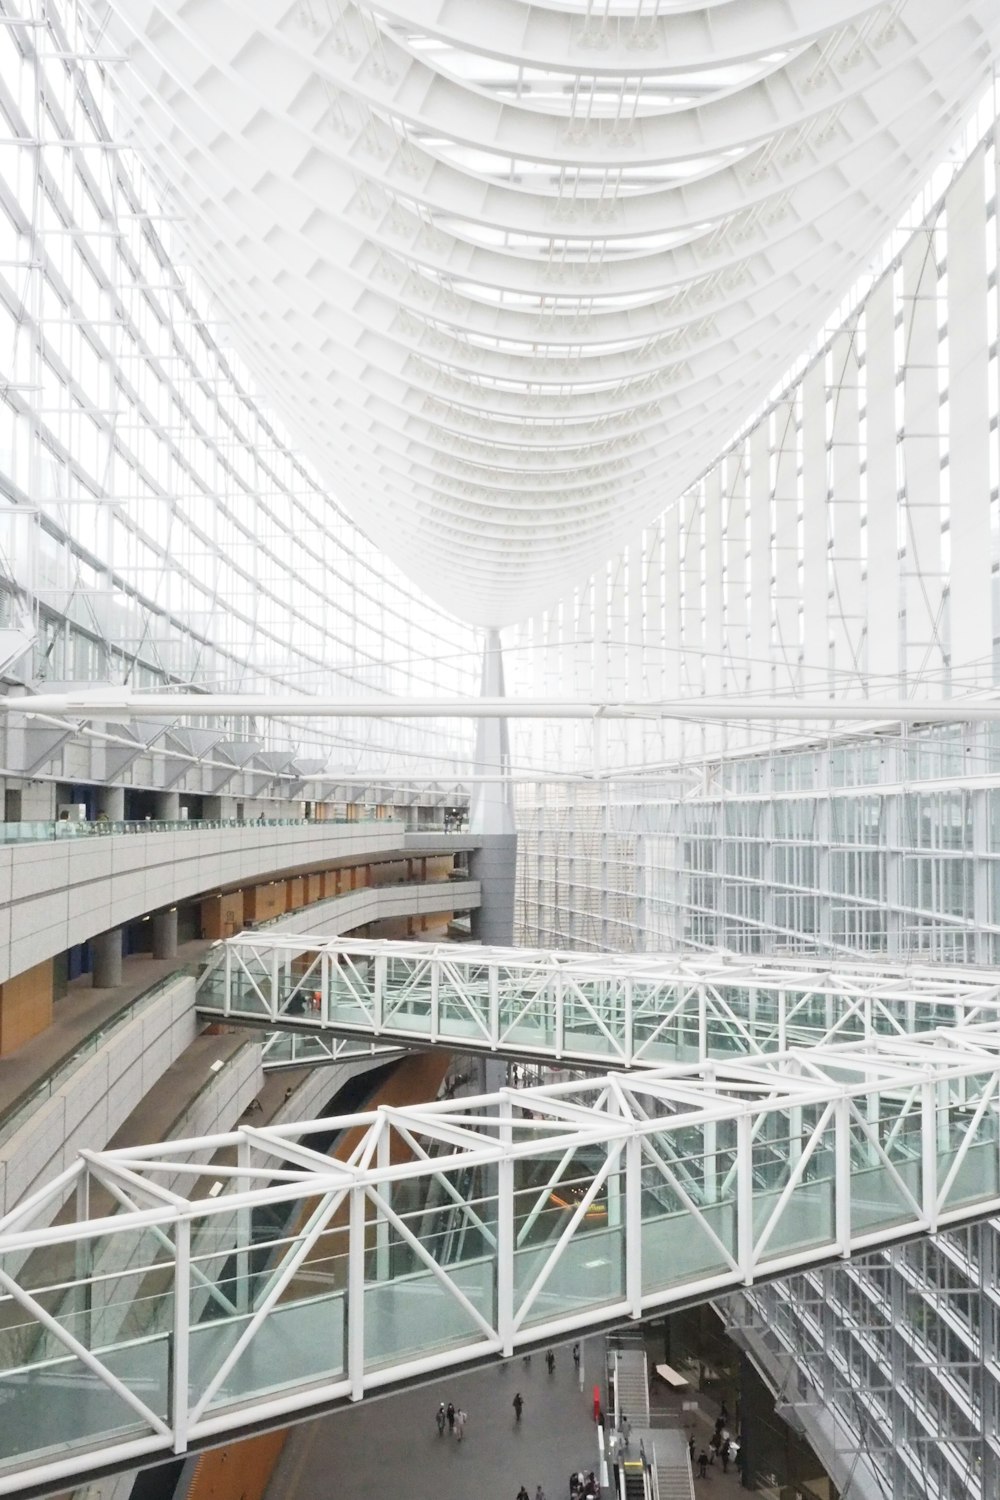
pixel 846 545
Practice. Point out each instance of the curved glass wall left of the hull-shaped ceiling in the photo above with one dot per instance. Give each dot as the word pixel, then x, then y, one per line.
pixel 155 524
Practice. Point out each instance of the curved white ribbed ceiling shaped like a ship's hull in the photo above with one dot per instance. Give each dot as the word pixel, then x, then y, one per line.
pixel 515 272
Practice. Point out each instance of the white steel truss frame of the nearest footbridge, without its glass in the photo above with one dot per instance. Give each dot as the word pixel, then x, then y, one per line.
pixel 845 1103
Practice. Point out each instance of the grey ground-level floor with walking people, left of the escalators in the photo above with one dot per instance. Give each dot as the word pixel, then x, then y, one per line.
pixel 391 1448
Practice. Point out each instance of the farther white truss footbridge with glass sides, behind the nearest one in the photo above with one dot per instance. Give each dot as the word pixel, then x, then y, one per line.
pixel 572 1009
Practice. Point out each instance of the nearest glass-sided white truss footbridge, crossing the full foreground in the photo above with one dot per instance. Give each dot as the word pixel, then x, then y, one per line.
pixel 250 1277
